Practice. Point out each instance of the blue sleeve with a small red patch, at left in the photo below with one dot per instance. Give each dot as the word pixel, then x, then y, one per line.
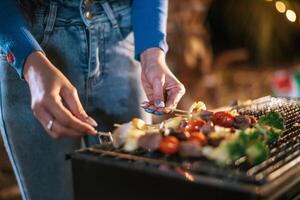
pixel 16 41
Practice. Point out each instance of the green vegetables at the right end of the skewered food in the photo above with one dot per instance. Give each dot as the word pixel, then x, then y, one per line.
pixel 250 141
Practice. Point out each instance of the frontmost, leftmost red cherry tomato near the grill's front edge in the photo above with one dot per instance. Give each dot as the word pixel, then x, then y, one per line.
pixel 169 145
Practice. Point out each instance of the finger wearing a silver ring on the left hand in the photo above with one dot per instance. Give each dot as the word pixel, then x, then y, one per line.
pixel 57 130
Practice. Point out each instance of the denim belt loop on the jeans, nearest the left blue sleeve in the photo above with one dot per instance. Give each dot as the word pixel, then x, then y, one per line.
pixel 50 22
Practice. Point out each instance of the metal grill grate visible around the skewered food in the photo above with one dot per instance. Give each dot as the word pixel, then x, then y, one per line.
pixel 285 154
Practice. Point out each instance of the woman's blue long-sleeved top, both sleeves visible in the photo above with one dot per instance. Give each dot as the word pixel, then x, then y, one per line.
pixel 149 18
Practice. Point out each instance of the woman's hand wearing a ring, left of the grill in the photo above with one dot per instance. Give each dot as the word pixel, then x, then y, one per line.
pixel 53 97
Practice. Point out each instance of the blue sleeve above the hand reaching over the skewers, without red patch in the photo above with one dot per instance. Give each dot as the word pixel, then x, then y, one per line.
pixel 149 18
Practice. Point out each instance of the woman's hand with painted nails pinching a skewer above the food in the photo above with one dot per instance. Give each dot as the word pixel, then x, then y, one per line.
pixel 162 88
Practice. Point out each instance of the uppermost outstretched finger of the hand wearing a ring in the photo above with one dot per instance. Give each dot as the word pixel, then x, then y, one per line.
pixel 72 100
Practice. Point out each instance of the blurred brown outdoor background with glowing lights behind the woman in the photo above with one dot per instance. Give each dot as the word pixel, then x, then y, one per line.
pixel 223 51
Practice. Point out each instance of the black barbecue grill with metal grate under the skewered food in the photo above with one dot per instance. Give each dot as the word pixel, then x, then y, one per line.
pixel 103 171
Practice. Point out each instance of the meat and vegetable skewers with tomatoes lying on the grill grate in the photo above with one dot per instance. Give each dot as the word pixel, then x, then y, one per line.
pixel 200 132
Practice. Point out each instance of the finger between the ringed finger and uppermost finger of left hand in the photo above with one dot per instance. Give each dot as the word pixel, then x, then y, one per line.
pixel 66 118
